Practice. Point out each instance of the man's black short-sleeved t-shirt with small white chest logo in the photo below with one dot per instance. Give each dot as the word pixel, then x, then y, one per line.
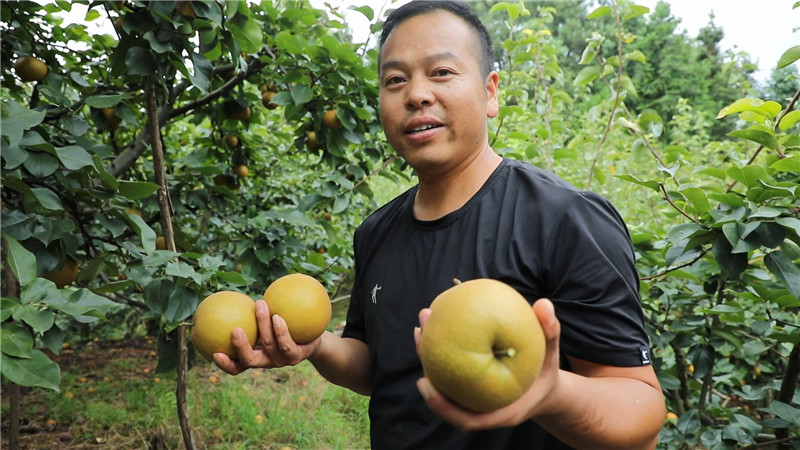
pixel 525 227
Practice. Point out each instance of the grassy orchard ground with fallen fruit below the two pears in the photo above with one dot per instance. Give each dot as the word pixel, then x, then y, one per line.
pixel 111 398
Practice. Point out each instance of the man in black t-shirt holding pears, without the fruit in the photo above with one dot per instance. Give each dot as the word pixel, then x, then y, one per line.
pixel 473 215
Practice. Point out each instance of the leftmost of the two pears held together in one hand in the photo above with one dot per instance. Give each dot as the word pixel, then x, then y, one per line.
pixel 216 317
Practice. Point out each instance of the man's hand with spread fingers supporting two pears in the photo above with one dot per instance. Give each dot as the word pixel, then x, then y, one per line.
pixel 274 347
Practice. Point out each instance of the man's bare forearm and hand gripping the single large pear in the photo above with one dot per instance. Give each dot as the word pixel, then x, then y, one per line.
pixel 593 406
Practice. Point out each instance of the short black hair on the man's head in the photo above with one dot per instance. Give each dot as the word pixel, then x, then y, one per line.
pixel 457 7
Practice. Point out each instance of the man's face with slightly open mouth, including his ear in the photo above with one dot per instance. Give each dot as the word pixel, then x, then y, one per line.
pixel 434 99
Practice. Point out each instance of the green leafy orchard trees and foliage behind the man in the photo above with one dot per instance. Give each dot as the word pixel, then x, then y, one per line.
pixel 702 163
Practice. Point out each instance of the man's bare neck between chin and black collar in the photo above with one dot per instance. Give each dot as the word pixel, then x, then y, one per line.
pixel 440 195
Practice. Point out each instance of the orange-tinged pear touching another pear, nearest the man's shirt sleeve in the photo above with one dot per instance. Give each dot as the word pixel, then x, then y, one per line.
pixel 303 303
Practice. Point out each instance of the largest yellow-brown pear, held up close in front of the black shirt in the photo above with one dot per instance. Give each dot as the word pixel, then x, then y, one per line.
pixel 482 346
